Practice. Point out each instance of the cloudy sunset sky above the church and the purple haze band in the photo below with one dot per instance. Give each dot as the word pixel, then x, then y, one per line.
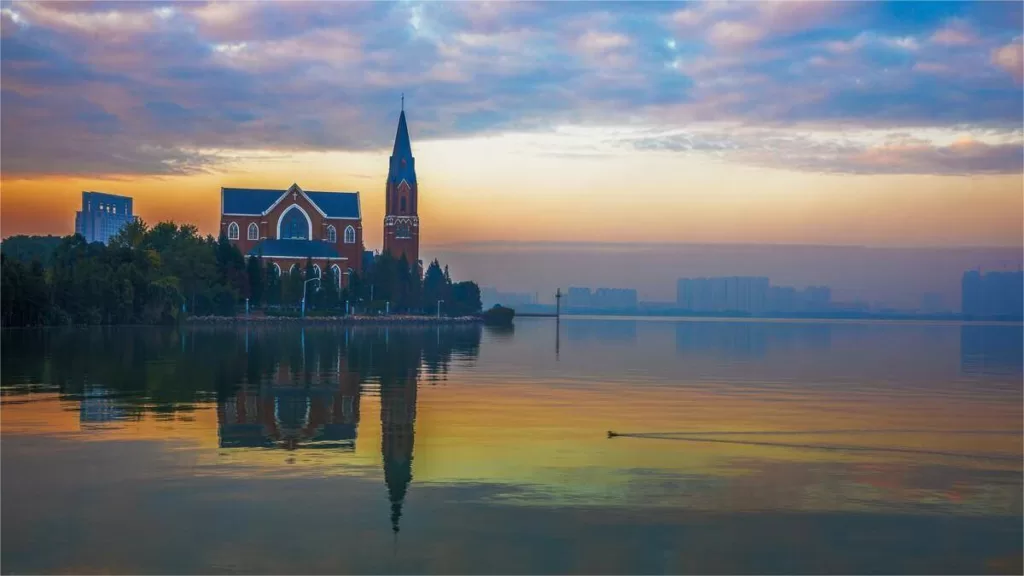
pixel 840 124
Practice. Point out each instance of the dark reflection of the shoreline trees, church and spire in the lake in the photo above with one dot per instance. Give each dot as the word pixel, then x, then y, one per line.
pixel 287 388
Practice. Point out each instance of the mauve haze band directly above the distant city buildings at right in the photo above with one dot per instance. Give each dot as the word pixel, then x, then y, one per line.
pixel 897 278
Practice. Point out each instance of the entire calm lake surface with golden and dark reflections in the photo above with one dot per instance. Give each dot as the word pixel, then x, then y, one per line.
pixel 748 447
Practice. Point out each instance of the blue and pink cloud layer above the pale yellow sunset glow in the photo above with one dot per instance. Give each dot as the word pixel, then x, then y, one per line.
pixel 94 85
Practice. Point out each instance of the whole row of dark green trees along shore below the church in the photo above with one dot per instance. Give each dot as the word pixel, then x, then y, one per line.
pixel 158 275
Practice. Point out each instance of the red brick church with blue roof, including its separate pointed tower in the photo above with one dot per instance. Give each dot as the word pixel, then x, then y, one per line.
pixel 286 227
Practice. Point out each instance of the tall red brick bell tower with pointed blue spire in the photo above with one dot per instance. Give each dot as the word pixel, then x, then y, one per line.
pixel 402 223
